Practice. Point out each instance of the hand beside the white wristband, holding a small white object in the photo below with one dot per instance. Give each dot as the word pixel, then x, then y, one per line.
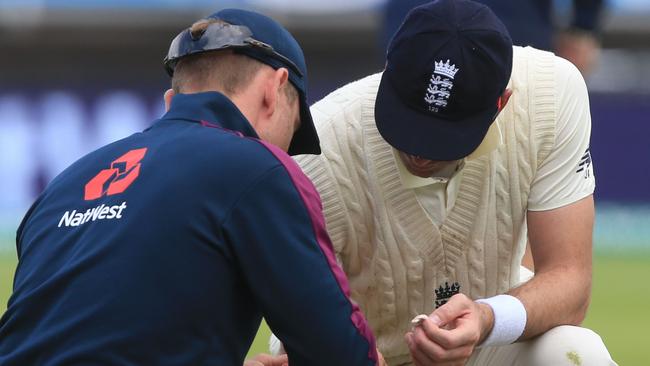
pixel 450 334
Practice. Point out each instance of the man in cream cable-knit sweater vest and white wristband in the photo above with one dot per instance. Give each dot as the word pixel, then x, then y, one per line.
pixel 430 198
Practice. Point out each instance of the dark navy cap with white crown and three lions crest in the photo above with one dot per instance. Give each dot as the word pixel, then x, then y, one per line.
pixel 446 67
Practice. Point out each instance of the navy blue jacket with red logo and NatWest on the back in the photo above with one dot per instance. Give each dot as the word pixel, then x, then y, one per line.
pixel 168 247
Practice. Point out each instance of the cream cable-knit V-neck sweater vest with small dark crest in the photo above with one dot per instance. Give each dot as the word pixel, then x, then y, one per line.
pixel 392 253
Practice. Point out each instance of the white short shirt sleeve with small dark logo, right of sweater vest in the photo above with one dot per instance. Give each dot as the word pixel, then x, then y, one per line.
pixel 566 175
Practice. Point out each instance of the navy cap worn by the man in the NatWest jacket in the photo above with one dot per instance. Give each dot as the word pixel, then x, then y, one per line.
pixel 265 40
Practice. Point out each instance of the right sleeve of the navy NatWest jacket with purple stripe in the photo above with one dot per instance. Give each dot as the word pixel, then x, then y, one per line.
pixel 278 235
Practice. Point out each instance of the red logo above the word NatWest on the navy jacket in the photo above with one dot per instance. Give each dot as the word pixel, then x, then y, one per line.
pixel 124 170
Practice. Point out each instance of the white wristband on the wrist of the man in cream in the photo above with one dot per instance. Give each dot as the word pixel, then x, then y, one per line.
pixel 509 320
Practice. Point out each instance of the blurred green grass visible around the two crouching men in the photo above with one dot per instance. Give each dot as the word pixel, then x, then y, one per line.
pixel 618 312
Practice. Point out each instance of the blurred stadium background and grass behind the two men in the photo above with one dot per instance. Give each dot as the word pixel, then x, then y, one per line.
pixel 77 74
